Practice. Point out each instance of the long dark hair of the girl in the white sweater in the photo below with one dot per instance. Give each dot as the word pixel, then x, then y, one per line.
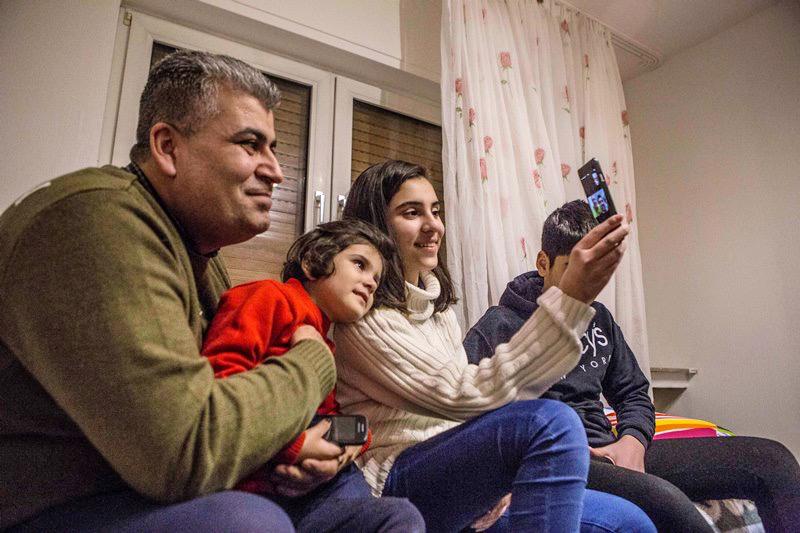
pixel 368 199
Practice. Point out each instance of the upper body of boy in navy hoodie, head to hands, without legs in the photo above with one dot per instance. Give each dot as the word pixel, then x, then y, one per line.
pixel 607 364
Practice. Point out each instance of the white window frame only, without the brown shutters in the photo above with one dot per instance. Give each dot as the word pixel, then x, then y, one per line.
pixel 330 142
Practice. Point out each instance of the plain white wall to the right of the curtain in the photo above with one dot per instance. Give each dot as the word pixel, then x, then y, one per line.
pixel 716 144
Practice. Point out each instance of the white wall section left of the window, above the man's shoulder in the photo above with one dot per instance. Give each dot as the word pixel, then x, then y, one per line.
pixel 55 63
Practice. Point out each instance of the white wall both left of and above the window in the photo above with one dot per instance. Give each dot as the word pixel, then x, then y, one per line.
pixel 56 63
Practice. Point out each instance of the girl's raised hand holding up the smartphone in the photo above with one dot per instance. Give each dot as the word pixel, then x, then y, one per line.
pixel 593 260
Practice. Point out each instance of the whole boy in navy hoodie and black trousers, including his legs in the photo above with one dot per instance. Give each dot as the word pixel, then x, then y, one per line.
pixel 678 469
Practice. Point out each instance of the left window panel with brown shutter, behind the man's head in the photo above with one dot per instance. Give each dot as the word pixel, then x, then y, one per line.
pixel 303 124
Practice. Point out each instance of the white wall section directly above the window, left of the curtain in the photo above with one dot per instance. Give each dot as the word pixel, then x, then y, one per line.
pixel 390 43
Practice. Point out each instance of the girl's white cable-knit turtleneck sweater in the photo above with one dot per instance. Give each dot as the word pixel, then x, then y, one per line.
pixel 408 374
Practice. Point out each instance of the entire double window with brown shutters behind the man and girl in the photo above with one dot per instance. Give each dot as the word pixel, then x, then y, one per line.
pixel 319 157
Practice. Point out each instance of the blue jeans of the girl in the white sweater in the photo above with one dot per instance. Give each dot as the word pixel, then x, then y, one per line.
pixel 536 450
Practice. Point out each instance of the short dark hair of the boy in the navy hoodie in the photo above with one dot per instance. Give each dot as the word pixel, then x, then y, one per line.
pixel 564 227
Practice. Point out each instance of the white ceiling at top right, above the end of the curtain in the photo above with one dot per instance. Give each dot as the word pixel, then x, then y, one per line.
pixel 666 26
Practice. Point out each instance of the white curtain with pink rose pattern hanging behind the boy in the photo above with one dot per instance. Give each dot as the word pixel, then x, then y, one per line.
pixel 530 91
